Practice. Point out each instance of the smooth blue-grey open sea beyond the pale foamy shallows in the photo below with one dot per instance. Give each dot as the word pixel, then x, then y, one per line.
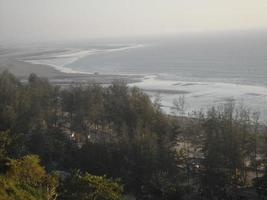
pixel 230 59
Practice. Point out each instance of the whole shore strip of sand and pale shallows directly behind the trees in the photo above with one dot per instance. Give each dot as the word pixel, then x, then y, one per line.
pixel 198 95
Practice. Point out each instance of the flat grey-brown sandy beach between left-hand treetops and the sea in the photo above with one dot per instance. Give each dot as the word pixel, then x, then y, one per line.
pixel 12 62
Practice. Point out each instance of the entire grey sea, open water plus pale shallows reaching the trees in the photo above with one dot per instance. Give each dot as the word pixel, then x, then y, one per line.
pixel 206 70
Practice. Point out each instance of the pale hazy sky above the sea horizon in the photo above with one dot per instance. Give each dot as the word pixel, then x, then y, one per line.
pixel 70 19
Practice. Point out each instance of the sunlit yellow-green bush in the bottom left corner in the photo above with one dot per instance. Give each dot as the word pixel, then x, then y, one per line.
pixel 26 179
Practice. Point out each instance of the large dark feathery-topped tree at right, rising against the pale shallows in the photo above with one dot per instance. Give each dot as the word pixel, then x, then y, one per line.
pixel 228 146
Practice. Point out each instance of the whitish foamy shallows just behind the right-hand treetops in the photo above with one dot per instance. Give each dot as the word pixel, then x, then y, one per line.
pixel 202 95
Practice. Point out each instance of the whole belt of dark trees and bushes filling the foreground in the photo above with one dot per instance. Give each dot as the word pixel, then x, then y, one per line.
pixel 95 142
